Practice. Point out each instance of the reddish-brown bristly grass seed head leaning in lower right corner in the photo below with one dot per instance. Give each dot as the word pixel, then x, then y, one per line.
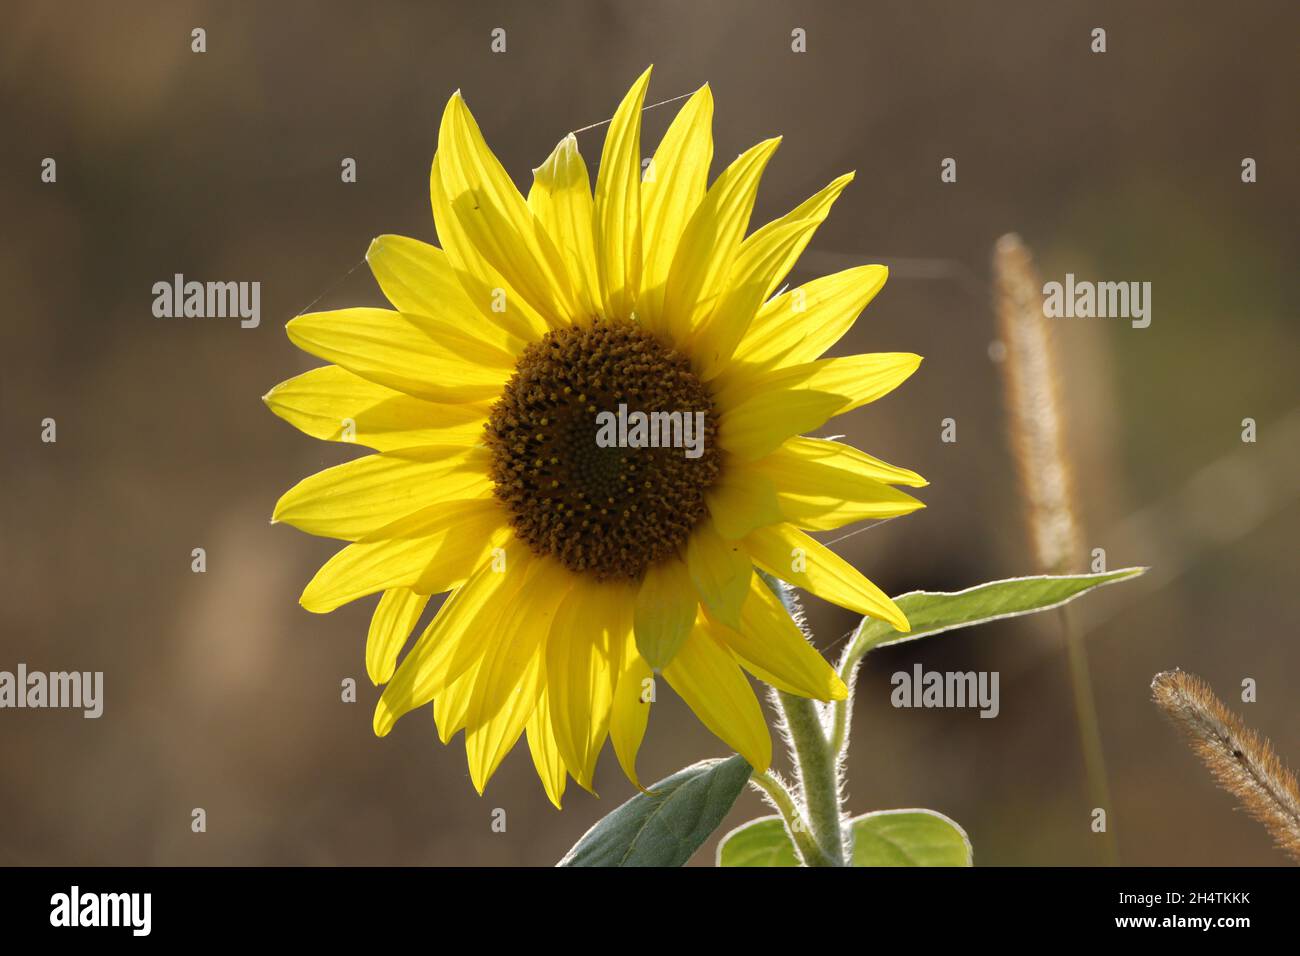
pixel 1241 760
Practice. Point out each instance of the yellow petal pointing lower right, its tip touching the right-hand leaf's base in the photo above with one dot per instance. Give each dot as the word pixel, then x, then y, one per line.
pixel 807 564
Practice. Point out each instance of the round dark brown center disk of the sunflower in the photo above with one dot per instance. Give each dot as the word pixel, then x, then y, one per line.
pixel 603 449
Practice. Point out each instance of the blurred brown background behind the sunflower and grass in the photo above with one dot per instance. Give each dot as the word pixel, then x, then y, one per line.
pixel 223 694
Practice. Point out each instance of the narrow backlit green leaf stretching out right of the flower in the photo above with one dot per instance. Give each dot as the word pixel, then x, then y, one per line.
pixel 933 613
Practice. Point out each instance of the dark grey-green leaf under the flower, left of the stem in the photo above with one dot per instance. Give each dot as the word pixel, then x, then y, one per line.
pixel 666 827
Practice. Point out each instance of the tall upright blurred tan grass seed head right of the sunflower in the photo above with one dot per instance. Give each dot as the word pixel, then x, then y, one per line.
pixel 1035 418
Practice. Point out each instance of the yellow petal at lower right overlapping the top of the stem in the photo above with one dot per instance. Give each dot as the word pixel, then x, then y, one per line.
pixel 774 650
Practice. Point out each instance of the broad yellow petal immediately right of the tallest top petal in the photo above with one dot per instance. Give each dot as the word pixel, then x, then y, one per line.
pixel 670 194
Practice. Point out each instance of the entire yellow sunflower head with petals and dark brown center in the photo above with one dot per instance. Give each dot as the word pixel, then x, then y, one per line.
pixel 579 570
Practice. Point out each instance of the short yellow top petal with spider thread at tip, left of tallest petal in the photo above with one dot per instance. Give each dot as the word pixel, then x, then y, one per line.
pixel 561 198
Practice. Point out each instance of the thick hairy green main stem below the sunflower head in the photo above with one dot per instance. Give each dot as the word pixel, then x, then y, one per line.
pixel 816 764
